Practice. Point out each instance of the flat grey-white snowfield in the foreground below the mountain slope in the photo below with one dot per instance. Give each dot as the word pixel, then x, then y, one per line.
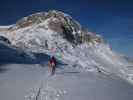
pixel 33 82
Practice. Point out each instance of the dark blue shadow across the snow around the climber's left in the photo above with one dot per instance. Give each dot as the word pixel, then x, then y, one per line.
pixel 9 55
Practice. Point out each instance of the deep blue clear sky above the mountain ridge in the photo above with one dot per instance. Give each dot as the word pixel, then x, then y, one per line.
pixel 113 19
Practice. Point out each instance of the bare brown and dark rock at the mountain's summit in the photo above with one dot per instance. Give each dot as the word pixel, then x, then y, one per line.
pixel 58 22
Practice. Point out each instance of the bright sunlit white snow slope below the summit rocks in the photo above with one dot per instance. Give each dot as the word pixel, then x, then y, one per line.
pixel 88 57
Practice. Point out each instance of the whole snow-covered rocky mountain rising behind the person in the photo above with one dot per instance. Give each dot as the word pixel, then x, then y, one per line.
pixel 56 33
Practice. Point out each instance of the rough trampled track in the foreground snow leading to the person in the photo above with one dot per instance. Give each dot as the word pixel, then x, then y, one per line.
pixel 43 91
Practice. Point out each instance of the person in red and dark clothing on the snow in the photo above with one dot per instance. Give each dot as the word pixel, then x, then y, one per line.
pixel 52 65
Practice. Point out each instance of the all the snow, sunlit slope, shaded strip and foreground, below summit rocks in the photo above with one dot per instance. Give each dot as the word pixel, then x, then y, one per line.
pixel 89 71
